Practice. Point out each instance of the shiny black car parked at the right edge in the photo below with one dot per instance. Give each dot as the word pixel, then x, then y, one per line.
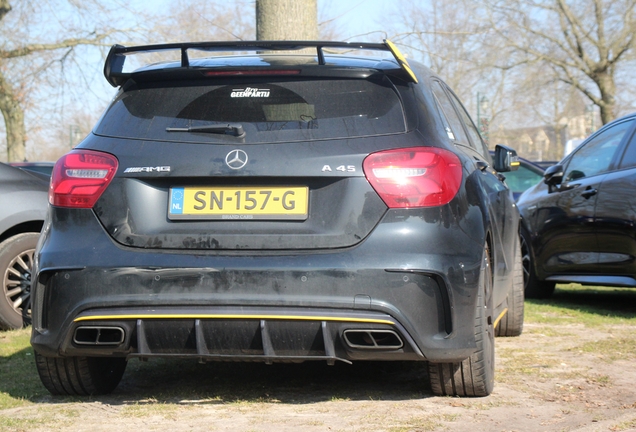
pixel 579 225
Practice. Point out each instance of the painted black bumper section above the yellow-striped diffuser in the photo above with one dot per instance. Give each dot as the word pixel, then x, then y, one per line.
pixel 371 277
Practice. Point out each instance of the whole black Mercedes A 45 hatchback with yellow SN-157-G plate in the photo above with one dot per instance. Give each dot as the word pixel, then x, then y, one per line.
pixel 277 207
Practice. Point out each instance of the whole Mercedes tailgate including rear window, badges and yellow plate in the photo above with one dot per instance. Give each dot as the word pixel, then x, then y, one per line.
pixel 247 163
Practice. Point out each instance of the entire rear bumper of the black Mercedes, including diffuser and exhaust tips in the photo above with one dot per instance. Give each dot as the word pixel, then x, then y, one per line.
pixel 418 294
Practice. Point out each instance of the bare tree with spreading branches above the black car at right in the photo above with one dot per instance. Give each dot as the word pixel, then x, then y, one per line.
pixel 583 43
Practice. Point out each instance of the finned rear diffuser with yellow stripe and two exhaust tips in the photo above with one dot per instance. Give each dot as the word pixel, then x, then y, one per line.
pixel 240 334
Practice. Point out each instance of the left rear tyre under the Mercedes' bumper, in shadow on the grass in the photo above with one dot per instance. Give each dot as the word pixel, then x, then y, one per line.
pixel 80 376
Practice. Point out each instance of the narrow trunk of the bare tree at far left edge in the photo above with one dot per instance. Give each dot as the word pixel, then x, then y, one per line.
pixel 13 121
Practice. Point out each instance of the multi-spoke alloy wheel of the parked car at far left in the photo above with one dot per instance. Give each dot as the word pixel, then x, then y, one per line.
pixel 16 259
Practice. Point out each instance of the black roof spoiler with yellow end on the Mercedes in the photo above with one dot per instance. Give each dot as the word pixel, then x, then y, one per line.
pixel 114 65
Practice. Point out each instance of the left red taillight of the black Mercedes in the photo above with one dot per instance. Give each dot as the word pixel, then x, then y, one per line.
pixel 80 177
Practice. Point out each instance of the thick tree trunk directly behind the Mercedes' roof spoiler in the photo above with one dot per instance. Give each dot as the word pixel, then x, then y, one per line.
pixel 286 20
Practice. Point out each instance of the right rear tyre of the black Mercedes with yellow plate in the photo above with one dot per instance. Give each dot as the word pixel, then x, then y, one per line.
pixel 474 376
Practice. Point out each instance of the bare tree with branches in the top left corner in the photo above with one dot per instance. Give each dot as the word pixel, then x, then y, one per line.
pixel 41 41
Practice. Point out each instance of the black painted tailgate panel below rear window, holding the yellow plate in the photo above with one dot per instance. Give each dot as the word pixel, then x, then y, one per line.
pixel 341 206
